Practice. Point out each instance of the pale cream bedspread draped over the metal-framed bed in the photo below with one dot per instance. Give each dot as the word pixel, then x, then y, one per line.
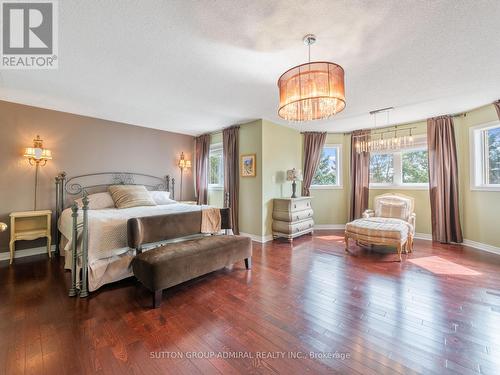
pixel 108 227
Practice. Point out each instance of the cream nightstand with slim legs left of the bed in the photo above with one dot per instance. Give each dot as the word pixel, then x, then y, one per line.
pixel 29 225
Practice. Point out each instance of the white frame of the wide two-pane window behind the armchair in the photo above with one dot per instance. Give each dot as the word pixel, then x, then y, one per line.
pixel 397 157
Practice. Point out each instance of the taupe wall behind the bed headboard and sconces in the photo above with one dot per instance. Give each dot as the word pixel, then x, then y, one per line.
pixel 79 145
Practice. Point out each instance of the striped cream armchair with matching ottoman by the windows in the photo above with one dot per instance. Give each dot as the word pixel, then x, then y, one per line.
pixel 391 222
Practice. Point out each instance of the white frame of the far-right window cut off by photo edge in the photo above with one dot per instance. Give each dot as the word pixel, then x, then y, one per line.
pixel 479 168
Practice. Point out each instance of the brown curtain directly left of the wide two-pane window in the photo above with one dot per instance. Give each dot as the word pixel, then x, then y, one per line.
pixel 360 176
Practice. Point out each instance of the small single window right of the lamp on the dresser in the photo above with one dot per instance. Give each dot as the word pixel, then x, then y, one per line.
pixel 328 174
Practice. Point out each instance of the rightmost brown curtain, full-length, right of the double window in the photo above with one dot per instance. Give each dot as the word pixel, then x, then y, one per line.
pixel 443 180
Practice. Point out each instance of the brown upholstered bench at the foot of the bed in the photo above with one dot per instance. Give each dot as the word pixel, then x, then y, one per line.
pixel 177 262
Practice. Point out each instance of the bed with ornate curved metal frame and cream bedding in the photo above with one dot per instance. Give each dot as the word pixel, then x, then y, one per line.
pixel 94 241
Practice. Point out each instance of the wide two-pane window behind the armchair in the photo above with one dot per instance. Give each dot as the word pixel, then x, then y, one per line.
pixel 406 168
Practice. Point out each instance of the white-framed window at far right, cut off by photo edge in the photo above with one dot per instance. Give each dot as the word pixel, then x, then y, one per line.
pixel 485 157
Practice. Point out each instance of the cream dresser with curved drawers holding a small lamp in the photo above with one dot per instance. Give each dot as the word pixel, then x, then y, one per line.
pixel 292 217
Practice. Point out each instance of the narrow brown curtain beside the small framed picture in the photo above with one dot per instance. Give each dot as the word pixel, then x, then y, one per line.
pixel 230 137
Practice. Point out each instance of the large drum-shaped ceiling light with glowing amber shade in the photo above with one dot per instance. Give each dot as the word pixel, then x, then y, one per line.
pixel 311 91
